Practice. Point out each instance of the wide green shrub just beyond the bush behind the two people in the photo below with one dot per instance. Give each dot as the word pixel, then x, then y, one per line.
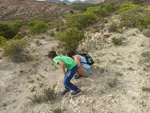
pixel 82 19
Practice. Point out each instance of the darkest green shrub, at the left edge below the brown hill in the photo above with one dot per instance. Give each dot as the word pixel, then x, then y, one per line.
pixel 9 30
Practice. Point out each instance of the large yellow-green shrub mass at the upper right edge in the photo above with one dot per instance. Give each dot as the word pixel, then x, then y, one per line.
pixel 134 16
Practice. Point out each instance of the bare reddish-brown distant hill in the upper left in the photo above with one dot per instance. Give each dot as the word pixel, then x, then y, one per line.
pixel 30 10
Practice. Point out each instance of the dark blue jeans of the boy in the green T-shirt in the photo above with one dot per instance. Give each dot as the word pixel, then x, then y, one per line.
pixel 68 77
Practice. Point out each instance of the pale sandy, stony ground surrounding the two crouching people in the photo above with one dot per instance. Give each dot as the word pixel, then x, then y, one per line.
pixel 117 84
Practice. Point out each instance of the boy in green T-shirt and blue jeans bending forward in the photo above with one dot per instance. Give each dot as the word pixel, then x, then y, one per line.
pixel 72 68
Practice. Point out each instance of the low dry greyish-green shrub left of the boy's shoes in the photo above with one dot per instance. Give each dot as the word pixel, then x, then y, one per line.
pixel 48 95
